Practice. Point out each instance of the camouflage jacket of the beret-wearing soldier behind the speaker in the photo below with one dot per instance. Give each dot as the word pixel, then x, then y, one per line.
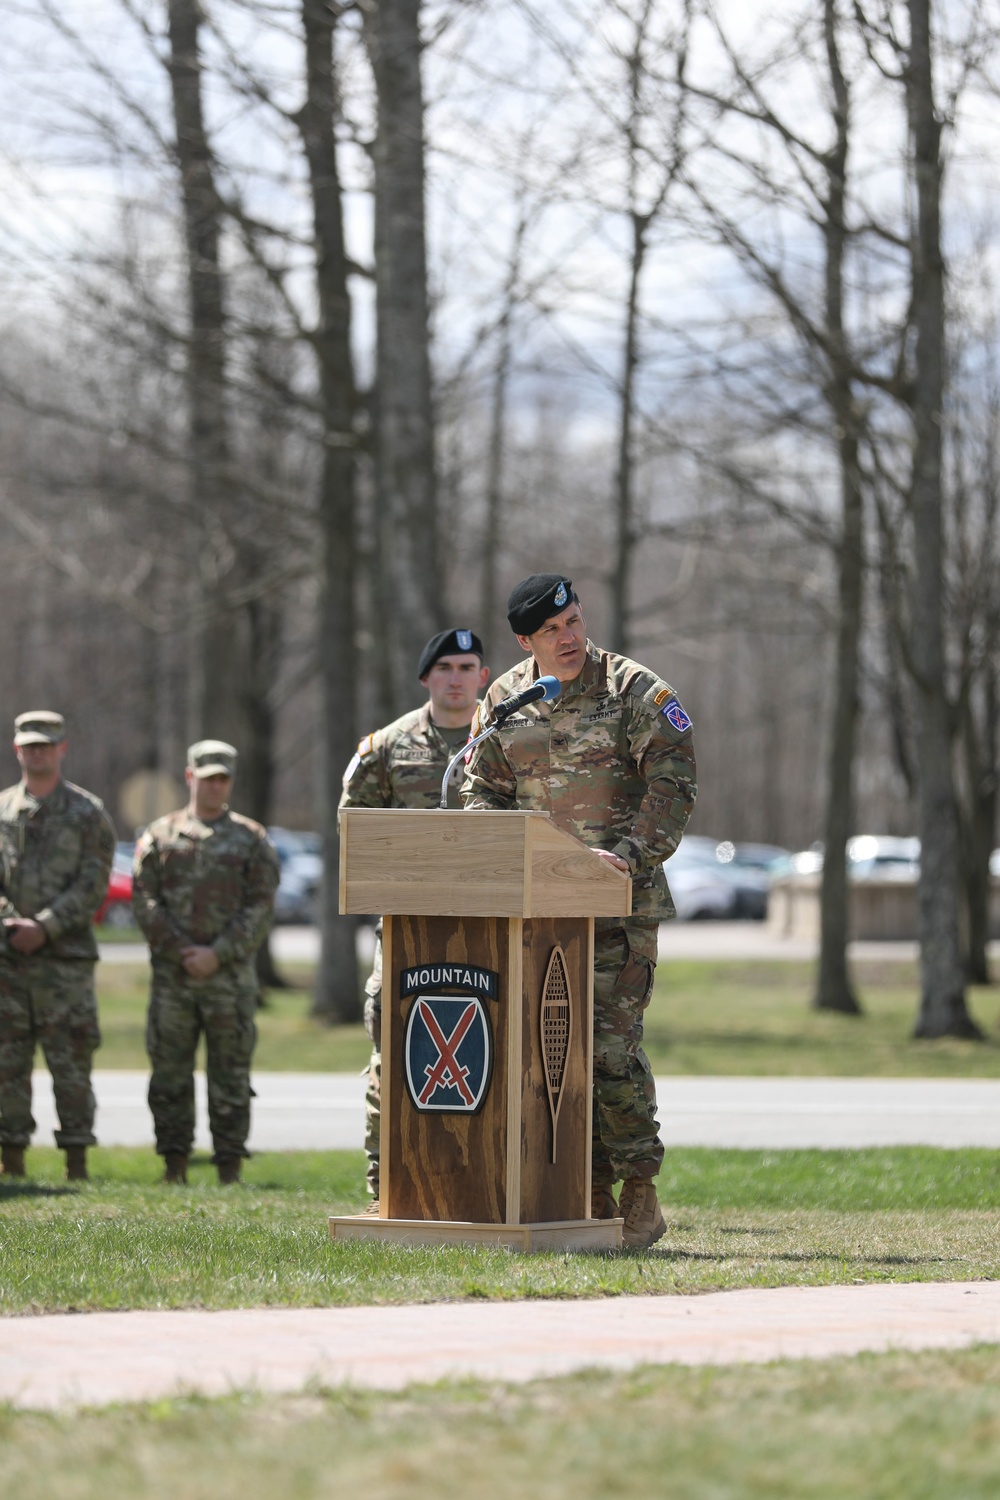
pixel 403 766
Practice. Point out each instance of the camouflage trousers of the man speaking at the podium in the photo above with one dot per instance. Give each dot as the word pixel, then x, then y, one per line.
pixel 626 1141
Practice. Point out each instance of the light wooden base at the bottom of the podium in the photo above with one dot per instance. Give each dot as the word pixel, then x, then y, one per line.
pixel 566 1235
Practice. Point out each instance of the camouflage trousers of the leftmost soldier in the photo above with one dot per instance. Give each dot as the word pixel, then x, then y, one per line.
pixel 49 1003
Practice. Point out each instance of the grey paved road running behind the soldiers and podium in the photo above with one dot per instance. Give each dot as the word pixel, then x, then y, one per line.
pixel 326 1112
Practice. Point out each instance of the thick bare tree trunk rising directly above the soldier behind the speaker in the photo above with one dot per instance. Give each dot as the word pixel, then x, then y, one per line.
pixel 404 421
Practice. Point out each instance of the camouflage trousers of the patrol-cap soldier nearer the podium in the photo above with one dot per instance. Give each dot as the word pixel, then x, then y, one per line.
pixel 223 1009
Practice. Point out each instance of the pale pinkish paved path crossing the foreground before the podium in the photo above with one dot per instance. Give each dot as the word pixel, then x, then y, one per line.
pixel 50 1363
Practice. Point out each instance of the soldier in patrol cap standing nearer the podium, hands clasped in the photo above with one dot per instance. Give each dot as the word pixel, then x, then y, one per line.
pixel 205 893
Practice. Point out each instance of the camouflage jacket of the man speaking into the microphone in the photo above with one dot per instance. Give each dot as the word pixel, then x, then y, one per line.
pixel 611 760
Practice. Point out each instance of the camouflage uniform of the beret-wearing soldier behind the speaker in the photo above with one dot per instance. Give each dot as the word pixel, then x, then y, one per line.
pixel 397 767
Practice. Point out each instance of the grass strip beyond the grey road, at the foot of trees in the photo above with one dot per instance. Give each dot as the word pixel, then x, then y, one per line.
pixel 705 1019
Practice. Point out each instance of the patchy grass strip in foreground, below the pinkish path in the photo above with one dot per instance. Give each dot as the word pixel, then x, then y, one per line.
pixel 879 1427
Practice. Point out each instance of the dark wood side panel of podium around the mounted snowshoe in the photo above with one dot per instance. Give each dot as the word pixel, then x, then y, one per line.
pixel 561 1189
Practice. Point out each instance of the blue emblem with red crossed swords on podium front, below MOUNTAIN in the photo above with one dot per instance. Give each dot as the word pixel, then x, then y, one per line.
pixel 448 1054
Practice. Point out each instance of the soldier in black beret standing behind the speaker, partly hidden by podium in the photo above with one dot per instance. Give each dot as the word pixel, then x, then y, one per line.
pixel 403 766
